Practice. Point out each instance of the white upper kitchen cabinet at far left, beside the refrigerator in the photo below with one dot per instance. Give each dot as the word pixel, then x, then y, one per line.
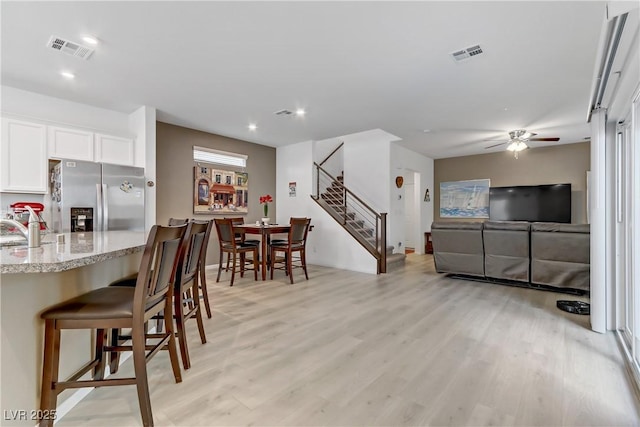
pixel 23 157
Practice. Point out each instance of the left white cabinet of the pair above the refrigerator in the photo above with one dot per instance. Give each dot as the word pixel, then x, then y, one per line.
pixel 68 143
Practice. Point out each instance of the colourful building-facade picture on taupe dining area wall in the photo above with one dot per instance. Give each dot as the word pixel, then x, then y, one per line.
pixel 220 191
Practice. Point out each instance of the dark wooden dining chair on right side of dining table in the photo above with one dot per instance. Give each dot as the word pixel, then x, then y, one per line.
pixel 296 244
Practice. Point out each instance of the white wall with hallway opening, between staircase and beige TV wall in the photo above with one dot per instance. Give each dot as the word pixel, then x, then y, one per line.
pixel 405 162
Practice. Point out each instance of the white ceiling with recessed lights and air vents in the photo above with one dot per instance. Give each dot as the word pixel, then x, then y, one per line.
pixel 354 66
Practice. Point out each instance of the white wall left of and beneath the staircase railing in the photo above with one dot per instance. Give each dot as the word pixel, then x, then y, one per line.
pixel 328 244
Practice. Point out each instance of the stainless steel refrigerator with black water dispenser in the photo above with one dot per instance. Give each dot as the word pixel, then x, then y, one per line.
pixel 88 196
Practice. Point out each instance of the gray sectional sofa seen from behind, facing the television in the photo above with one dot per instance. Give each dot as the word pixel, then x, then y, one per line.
pixel 516 252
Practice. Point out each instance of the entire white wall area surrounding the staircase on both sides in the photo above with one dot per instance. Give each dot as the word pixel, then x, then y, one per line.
pixel 369 159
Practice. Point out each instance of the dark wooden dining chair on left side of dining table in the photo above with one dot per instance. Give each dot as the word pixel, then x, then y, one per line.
pixel 237 250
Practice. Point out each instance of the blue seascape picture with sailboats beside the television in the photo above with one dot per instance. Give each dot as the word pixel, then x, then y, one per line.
pixel 465 199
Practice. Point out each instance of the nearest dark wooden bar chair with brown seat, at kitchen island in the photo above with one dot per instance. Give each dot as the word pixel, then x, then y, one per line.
pixel 118 307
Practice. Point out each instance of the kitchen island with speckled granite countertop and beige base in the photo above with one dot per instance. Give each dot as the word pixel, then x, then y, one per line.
pixel 33 279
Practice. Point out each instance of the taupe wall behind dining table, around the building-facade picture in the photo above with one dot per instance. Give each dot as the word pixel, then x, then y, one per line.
pixel 174 145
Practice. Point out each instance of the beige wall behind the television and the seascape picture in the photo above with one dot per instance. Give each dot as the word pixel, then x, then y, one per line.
pixel 559 164
